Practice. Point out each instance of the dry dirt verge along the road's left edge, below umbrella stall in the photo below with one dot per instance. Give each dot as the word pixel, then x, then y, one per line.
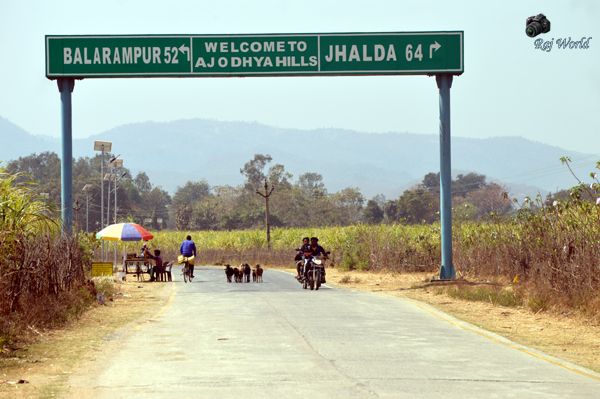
pixel 47 364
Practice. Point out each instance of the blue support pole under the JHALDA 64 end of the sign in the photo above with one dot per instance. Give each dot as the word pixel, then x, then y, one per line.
pixel 444 83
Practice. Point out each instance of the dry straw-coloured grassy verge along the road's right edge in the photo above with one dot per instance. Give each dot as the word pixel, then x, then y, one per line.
pixel 565 334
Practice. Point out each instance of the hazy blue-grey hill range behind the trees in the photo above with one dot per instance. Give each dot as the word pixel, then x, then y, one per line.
pixel 174 152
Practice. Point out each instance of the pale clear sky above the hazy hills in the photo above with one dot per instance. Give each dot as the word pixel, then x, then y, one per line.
pixel 509 88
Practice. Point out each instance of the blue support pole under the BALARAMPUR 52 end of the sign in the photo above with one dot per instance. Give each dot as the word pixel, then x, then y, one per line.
pixel 65 86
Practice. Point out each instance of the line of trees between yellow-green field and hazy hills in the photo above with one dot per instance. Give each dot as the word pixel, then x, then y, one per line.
pixel 295 202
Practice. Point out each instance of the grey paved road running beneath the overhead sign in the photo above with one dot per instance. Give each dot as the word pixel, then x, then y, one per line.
pixel 275 340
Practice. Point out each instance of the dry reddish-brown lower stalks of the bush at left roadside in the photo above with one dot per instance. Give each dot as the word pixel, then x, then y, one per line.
pixel 42 283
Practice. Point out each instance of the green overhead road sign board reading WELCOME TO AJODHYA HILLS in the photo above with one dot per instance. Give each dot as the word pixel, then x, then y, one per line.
pixel 393 53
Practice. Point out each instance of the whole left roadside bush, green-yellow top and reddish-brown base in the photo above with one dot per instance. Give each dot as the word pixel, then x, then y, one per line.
pixel 42 281
